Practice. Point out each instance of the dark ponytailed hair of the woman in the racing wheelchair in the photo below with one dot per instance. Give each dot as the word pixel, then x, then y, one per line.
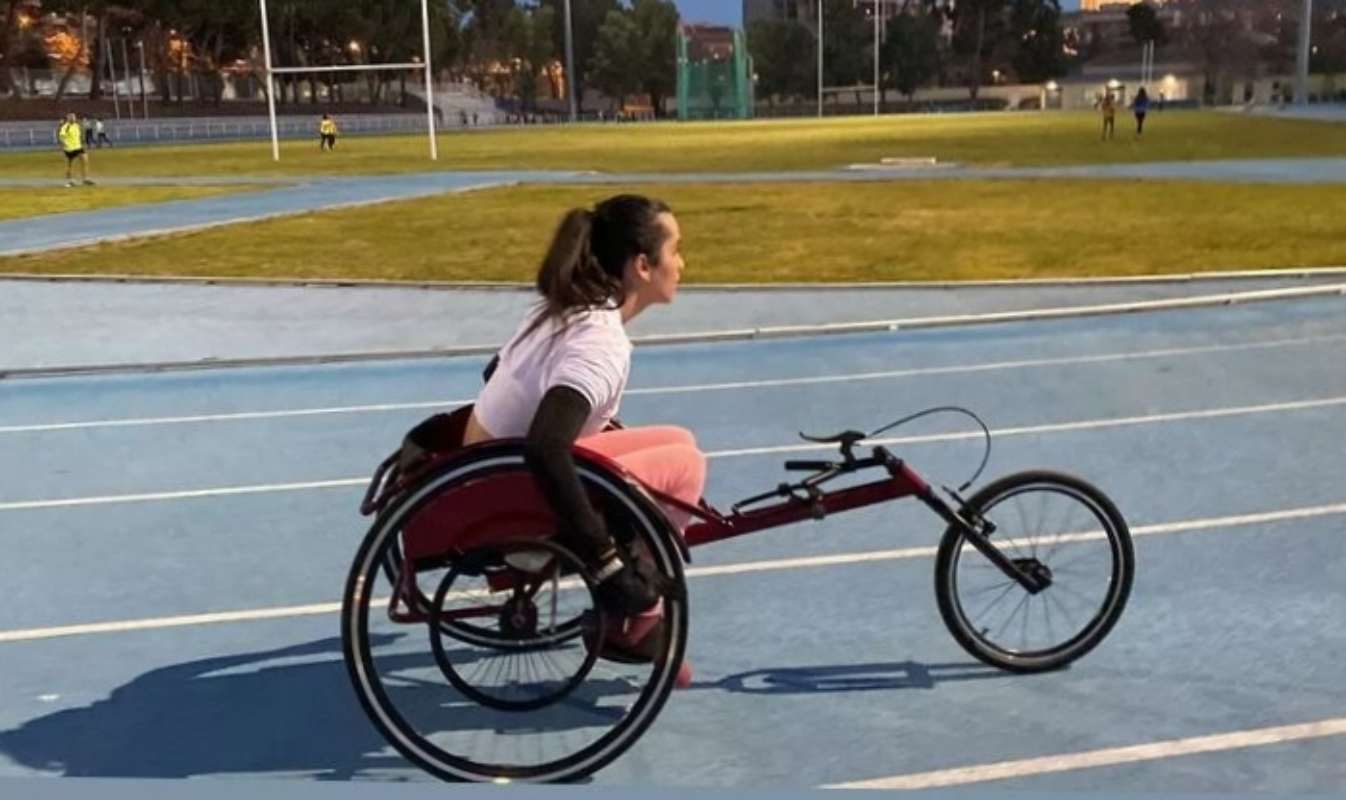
pixel 585 265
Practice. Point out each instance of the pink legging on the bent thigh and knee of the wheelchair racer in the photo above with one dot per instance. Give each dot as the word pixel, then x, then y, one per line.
pixel 663 457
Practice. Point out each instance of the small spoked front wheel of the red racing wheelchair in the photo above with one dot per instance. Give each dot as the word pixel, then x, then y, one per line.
pixel 1057 526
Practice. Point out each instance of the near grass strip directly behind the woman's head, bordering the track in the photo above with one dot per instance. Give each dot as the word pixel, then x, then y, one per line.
pixel 765 234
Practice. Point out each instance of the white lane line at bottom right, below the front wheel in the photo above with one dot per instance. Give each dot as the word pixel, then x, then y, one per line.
pixel 1107 758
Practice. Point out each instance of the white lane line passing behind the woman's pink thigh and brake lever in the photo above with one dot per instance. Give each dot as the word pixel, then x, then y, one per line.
pixel 715 455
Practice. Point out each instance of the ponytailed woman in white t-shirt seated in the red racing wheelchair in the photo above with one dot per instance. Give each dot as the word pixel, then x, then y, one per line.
pixel 559 382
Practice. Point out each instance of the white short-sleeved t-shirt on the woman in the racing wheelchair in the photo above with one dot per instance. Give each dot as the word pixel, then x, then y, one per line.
pixel 592 356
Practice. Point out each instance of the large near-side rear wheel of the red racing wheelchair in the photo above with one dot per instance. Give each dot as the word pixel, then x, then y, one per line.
pixel 505 690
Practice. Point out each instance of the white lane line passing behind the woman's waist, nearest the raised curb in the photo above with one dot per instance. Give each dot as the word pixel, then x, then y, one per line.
pixel 693 389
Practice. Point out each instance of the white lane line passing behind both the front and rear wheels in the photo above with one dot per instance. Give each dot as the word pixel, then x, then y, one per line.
pixel 741 569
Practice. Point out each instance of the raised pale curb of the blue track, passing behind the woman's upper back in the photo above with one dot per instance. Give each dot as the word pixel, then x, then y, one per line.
pixel 728 336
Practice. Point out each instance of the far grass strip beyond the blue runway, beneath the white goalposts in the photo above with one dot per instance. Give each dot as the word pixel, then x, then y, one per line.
pixel 1006 139
